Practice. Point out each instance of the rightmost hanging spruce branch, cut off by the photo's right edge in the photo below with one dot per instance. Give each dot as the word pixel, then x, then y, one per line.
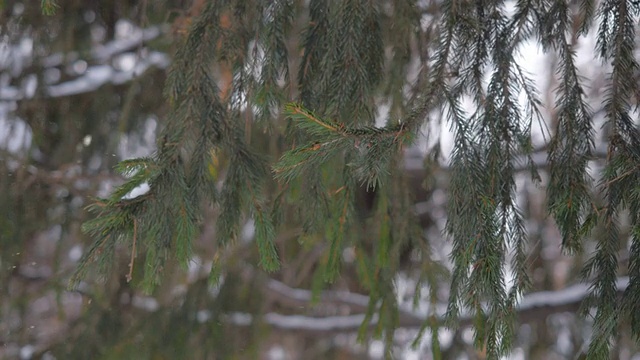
pixel 615 42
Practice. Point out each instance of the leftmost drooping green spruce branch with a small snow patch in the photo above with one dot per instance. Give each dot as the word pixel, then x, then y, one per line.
pixel 180 174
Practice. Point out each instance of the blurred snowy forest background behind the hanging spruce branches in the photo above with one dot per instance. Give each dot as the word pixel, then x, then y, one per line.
pixel 82 90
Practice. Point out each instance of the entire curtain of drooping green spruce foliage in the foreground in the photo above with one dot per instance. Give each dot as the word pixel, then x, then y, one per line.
pixel 355 56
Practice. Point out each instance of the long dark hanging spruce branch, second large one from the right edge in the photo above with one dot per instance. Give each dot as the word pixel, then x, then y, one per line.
pixel 483 217
